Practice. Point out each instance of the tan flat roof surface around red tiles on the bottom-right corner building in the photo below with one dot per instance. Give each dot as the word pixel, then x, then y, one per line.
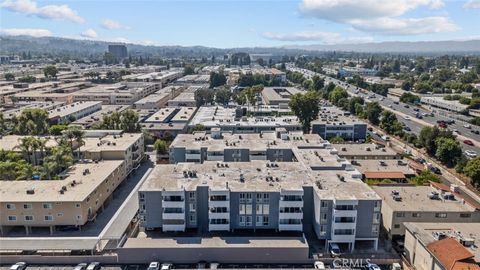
pixel 425 233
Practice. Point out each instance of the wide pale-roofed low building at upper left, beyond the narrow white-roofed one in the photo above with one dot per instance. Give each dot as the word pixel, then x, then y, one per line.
pixel 124 93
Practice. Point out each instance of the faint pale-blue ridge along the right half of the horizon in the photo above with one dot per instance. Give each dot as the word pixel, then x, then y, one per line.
pixel 470 46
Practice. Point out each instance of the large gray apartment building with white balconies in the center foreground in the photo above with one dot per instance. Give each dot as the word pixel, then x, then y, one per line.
pixel 315 190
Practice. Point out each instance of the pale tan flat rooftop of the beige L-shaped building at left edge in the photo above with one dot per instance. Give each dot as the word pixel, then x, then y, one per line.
pixel 48 190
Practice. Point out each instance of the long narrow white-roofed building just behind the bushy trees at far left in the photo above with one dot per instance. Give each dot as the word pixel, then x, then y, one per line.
pixel 74 111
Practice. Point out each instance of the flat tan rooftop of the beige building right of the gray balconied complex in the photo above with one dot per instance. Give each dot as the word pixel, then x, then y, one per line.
pixel 415 199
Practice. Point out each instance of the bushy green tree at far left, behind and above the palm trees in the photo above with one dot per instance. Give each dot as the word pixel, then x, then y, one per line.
pixel 31 121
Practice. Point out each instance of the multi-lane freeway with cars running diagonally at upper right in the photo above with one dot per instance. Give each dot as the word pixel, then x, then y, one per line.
pixel 401 109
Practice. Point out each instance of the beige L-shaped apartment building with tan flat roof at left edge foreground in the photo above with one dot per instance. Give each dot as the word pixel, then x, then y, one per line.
pixel 73 200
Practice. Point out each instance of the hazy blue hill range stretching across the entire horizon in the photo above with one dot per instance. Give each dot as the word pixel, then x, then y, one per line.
pixel 55 46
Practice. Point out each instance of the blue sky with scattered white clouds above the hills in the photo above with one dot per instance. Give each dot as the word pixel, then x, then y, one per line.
pixel 243 23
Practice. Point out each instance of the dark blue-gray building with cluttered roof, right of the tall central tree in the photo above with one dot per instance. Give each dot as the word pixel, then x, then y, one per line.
pixel 333 122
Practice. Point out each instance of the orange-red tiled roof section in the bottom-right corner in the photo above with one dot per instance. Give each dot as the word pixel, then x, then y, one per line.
pixel 451 254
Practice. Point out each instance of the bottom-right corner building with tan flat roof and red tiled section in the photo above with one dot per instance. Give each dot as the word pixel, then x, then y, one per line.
pixel 443 246
